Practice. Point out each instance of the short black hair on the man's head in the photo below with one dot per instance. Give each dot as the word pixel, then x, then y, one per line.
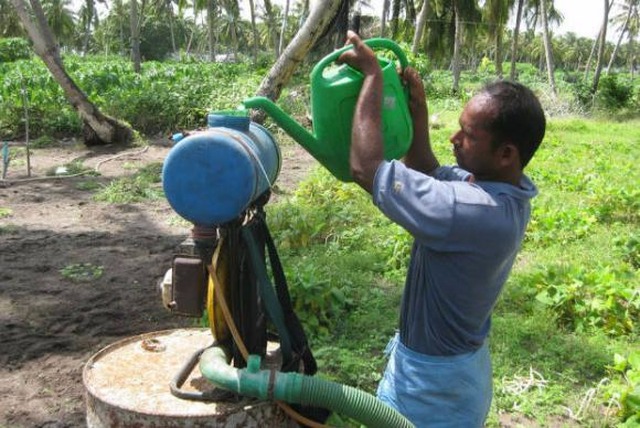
pixel 519 118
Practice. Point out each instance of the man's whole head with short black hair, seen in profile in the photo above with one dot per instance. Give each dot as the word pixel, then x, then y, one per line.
pixel 500 130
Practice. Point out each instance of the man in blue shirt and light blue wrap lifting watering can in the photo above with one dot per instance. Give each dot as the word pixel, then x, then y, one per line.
pixel 468 222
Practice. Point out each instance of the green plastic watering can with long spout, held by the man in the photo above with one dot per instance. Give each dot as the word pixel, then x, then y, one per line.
pixel 334 93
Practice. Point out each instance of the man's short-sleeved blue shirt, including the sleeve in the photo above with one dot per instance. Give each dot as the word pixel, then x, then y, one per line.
pixel 467 235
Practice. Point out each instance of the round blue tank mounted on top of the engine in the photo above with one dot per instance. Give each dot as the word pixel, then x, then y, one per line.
pixel 211 177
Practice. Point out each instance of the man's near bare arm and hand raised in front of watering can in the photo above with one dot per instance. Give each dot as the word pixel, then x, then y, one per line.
pixel 366 133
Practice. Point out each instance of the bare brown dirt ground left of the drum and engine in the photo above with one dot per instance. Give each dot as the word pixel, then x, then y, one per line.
pixel 50 325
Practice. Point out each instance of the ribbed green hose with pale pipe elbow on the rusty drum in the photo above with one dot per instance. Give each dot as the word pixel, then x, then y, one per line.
pixel 298 389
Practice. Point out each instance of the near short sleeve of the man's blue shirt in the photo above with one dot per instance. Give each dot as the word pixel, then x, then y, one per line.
pixel 423 205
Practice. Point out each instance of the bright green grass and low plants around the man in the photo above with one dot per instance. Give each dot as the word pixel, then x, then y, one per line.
pixel 570 306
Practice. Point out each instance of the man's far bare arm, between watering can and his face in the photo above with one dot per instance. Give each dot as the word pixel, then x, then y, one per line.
pixel 420 156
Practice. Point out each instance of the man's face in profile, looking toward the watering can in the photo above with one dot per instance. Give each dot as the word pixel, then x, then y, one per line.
pixel 472 142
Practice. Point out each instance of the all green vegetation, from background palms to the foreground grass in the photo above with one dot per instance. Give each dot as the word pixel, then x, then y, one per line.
pixel 565 333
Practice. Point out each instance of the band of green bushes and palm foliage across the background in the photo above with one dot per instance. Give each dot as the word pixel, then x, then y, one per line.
pixel 159 97
